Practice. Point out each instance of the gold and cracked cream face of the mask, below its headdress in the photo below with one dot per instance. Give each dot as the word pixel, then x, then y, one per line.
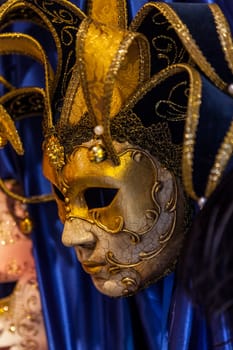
pixel 122 221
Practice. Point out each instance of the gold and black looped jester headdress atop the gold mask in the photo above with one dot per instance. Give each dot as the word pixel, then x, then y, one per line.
pixel 92 95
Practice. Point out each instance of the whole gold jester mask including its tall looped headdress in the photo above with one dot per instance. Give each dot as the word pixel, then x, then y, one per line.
pixel 120 132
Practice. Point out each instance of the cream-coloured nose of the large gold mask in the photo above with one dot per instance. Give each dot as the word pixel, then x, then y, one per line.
pixel 77 232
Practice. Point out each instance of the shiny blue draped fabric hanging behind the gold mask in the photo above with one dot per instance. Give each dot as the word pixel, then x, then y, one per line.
pixel 77 317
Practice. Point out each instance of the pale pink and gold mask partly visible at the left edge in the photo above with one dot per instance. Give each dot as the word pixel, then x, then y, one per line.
pixel 21 320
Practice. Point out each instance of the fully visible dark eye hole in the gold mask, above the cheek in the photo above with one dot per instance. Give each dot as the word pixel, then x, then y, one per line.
pixel 97 197
